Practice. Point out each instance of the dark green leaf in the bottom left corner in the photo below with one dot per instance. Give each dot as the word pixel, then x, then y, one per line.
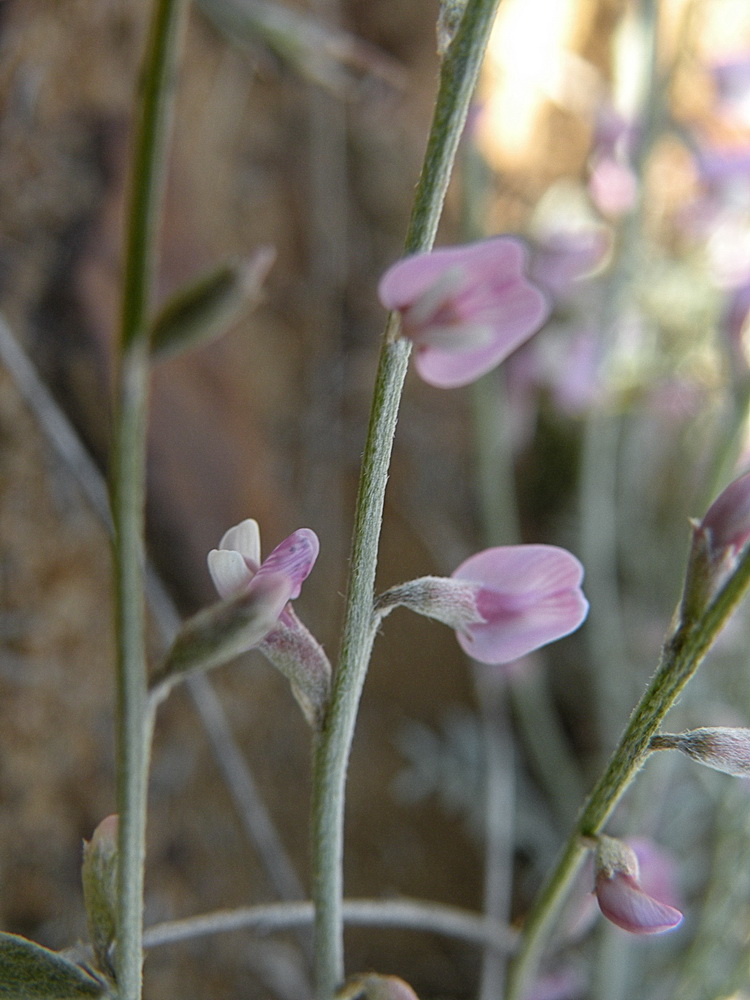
pixel 30 972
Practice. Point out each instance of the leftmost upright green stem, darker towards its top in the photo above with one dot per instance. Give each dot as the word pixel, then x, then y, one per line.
pixel 134 722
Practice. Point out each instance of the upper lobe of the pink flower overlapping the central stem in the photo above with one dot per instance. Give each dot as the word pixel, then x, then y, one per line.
pixel 408 279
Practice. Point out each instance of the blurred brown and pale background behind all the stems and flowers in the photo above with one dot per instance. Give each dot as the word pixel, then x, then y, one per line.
pixel 613 136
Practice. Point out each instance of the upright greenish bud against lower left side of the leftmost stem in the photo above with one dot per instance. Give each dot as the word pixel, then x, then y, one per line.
pixel 99 878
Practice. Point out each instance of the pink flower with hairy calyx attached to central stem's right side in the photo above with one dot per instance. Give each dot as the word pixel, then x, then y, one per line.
pixel 503 602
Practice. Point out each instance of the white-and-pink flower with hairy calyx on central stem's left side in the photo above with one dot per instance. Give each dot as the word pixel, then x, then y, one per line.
pixel 236 567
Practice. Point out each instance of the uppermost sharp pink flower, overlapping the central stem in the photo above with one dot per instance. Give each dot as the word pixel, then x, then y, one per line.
pixel 465 308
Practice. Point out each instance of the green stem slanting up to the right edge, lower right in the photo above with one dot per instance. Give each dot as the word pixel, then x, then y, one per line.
pixel 682 654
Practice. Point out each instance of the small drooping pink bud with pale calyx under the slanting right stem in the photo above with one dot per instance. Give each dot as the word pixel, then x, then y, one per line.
pixel 621 897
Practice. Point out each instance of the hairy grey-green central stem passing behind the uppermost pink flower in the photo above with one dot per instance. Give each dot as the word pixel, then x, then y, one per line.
pixel 458 78
